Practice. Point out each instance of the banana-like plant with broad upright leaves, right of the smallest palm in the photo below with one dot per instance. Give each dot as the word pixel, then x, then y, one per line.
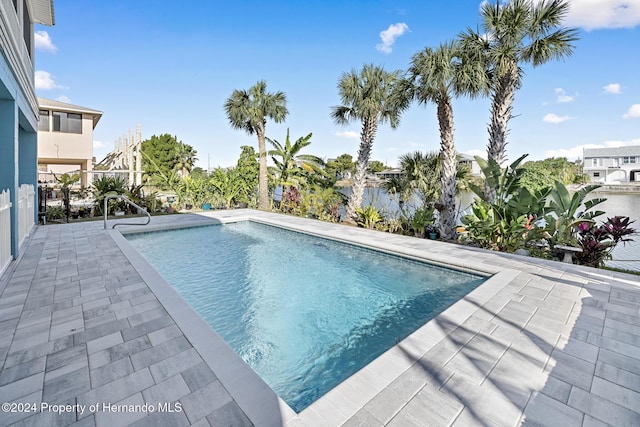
pixel 290 165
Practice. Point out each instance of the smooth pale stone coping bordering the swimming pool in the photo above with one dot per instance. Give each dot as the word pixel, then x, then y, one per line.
pixel 246 387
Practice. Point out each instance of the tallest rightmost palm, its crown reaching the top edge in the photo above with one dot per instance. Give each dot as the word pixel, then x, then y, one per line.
pixel 520 31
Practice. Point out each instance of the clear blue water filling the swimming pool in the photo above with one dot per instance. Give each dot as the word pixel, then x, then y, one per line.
pixel 305 313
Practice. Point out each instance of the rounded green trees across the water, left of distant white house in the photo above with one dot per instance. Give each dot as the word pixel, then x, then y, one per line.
pixel 543 173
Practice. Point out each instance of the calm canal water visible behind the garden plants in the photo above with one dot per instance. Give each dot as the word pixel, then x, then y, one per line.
pixel 621 204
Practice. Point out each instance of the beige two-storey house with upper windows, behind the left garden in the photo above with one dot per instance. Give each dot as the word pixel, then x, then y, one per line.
pixel 65 139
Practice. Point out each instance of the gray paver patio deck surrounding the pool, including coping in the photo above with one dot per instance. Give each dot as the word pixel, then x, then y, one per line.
pixel 85 322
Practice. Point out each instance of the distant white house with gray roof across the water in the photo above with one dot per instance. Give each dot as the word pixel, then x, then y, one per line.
pixel 612 165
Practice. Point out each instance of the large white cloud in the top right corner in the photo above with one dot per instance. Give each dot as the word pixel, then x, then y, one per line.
pixel 597 14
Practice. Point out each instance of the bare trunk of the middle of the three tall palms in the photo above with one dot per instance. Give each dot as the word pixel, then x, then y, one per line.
pixel 449 169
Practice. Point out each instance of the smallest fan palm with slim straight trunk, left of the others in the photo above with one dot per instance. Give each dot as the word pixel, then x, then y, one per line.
pixel 249 110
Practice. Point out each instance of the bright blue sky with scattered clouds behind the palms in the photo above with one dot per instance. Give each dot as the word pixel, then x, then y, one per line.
pixel 170 67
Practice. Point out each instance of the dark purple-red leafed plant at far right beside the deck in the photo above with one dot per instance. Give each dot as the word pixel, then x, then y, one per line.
pixel 598 242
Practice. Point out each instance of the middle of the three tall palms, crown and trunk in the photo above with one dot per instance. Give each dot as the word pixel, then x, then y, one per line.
pixel 437 75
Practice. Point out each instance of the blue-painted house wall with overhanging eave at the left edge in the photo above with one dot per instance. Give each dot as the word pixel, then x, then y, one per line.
pixel 18 121
